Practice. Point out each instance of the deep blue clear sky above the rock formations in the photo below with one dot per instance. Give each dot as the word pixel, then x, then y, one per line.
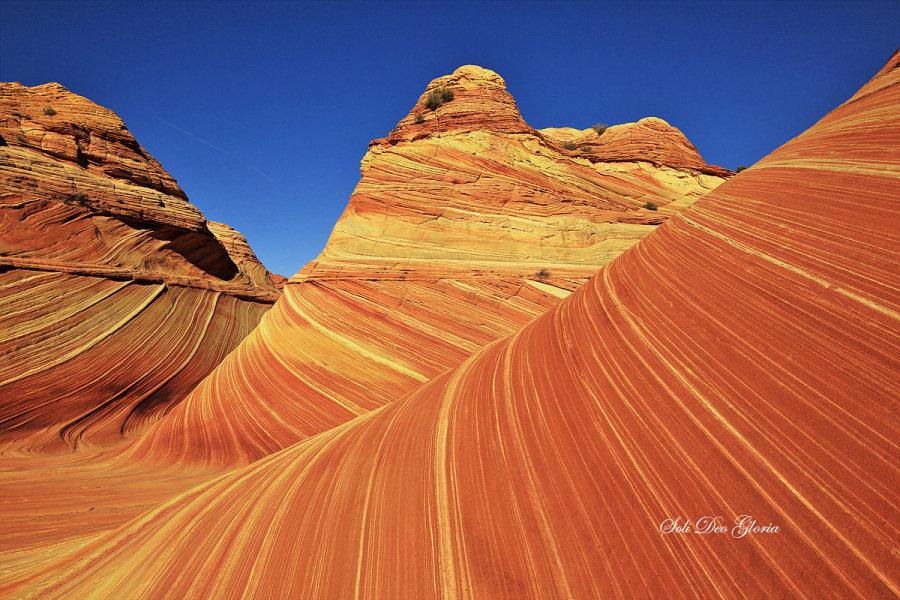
pixel 286 96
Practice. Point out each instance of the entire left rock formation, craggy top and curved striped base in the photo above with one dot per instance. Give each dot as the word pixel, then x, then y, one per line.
pixel 117 295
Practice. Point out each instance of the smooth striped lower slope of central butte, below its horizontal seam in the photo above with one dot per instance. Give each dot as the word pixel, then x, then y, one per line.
pixel 334 348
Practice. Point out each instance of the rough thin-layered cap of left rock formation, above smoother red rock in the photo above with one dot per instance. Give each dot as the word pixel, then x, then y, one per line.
pixel 79 133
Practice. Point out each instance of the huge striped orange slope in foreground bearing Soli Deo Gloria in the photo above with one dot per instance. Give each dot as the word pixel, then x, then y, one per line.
pixel 740 360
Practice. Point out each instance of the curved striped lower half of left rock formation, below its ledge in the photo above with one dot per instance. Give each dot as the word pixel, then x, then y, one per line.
pixel 147 345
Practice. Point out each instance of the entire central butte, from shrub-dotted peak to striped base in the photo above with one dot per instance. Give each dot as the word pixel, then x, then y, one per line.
pixel 465 225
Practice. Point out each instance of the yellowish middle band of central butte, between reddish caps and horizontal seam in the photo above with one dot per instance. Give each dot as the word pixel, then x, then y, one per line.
pixel 486 196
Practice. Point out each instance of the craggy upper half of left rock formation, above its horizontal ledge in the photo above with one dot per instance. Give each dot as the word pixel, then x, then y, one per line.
pixel 78 193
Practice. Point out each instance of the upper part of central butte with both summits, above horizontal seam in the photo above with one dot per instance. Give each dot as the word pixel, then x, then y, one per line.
pixel 464 177
